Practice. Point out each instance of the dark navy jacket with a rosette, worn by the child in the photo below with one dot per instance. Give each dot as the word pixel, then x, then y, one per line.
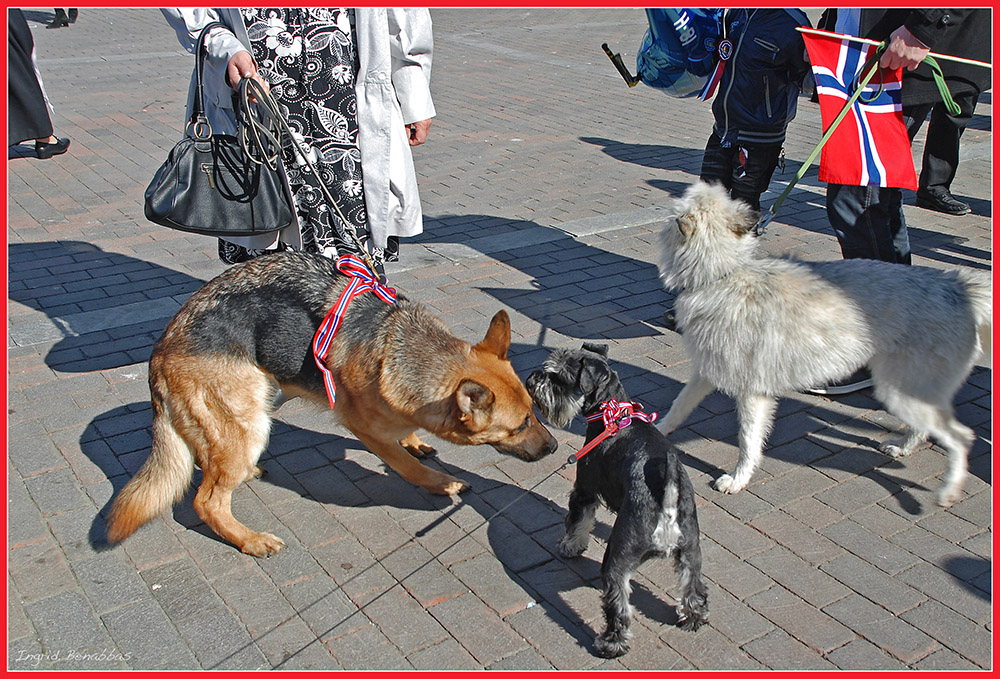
pixel 761 81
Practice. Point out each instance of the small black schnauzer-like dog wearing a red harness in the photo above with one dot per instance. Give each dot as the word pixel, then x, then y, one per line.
pixel 637 474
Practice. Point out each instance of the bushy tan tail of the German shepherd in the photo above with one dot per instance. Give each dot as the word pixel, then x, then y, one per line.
pixel 158 485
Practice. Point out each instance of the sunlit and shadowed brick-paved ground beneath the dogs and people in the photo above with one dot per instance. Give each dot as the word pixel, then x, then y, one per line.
pixel 542 182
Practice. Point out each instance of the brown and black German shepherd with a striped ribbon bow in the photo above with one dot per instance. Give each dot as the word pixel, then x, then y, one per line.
pixel 215 376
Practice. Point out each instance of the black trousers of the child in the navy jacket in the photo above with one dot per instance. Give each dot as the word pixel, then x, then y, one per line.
pixel 744 170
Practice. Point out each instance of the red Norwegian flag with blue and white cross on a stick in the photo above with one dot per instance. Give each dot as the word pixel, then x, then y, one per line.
pixel 870 146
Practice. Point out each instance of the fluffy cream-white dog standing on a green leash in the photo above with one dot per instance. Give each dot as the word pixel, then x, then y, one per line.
pixel 758 327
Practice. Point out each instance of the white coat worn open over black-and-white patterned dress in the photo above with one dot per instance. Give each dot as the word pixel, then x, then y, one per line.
pixel 393 90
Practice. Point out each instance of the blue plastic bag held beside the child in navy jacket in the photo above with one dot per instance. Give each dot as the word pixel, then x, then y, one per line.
pixel 677 54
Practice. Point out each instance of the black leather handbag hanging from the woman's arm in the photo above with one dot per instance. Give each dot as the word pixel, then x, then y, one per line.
pixel 212 185
